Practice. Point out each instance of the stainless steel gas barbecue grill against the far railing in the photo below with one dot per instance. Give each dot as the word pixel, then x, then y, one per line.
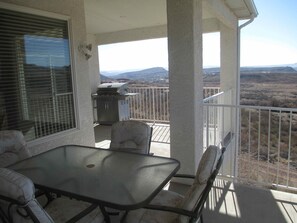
pixel 112 104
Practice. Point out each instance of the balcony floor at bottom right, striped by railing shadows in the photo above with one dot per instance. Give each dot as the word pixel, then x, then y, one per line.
pixel 235 203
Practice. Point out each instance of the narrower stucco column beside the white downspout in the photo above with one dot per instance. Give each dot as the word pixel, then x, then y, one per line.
pixel 229 81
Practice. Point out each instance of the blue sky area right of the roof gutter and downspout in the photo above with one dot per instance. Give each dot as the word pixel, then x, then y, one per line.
pixel 271 38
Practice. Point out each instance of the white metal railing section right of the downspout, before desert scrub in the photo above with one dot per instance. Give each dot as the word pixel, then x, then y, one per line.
pixel 268 145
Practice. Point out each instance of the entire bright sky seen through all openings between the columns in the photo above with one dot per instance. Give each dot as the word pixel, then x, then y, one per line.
pixel 271 39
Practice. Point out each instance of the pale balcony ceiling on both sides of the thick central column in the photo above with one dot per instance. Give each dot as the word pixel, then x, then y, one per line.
pixel 107 16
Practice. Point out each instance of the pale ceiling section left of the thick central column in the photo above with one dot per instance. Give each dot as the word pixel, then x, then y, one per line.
pixel 104 16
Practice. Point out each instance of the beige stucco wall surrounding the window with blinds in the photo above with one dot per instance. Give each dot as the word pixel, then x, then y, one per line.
pixel 74 9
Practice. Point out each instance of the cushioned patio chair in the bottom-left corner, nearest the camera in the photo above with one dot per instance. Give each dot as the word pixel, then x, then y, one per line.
pixel 18 203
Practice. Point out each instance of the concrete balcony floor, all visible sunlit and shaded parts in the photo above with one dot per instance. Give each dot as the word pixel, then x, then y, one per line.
pixel 228 202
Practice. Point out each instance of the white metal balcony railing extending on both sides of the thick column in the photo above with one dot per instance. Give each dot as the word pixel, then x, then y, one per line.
pixel 261 141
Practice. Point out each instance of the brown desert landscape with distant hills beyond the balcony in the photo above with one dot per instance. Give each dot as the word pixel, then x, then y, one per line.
pixel 268 145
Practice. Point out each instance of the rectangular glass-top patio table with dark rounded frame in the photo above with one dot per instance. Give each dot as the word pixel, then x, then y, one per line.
pixel 105 177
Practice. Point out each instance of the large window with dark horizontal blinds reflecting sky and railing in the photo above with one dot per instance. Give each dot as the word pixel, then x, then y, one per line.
pixel 36 94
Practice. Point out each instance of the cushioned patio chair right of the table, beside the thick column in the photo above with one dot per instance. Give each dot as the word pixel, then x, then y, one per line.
pixel 171 207
